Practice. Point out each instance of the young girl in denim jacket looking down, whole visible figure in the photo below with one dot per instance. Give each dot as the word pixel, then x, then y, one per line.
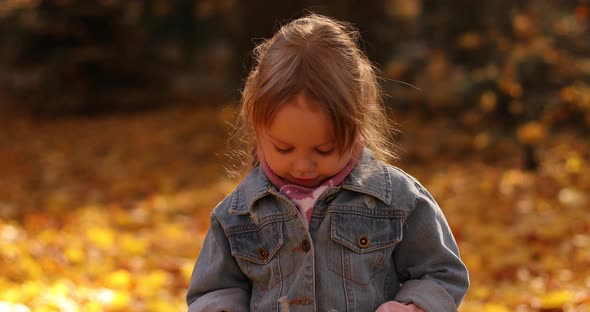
pixel 320 223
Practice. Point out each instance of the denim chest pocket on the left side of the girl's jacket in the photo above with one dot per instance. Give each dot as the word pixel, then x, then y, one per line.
pixel 255 248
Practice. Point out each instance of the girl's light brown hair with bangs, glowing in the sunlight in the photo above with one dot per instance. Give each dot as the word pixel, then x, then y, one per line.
pixel 318 57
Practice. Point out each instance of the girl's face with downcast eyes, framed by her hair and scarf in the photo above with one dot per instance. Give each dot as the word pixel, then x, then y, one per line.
pixel 300 146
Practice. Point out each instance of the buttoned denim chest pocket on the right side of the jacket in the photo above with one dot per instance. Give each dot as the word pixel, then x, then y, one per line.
pixel 365 242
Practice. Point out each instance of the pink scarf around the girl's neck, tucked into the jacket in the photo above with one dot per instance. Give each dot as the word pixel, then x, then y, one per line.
pixel 305 197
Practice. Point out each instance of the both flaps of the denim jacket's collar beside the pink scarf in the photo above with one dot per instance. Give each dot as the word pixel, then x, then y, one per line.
pixel 370 176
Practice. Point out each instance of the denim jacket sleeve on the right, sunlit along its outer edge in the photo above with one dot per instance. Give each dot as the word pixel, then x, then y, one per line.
pixel 427 259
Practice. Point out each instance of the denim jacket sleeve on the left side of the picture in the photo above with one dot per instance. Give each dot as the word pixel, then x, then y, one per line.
pixel 217 283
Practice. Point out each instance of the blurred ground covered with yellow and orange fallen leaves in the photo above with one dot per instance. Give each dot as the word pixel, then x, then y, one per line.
pixel 108 213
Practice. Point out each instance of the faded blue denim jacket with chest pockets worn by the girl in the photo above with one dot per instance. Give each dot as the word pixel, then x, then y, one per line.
pixel 379 236
